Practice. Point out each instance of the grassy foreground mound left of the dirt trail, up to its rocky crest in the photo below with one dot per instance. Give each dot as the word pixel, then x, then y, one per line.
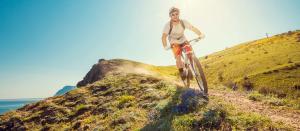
pixel 127 100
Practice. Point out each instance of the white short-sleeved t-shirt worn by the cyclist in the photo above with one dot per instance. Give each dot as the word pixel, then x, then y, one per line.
pixel 177 33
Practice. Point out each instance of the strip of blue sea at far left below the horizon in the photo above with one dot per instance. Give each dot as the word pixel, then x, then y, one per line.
pixel 13 104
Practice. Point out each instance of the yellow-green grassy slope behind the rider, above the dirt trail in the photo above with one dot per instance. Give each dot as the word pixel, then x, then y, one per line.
pixel 269 65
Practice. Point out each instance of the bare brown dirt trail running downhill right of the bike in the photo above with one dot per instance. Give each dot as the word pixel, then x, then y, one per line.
pixel 240 100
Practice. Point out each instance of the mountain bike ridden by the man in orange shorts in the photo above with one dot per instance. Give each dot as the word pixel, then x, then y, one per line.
pixel 193 67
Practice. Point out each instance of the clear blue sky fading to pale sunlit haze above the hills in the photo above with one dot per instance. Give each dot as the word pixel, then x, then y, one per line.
pixel 47 44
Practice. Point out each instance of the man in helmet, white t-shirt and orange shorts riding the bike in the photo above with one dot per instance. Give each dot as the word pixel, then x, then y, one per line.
pixel 174 30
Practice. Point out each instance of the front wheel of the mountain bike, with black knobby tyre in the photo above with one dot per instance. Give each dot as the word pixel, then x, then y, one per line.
pixel 199 75
